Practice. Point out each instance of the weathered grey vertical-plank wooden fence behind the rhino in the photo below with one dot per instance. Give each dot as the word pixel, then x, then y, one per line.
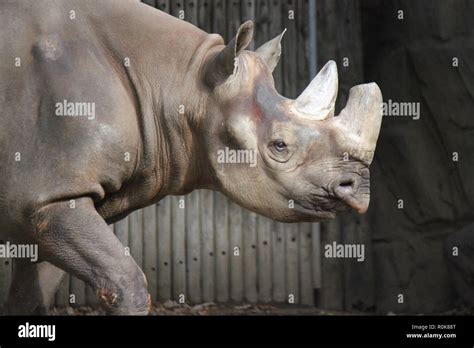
pixel 202 247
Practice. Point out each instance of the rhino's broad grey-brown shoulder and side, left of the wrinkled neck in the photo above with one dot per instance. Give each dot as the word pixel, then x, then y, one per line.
pixel 45 156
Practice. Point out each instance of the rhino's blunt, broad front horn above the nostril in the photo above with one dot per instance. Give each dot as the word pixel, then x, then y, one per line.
pixel 361 120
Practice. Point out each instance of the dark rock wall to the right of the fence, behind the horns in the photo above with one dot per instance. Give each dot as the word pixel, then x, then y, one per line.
pixel 413 60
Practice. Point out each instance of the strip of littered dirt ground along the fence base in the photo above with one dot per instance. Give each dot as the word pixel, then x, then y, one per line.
pixel 174 308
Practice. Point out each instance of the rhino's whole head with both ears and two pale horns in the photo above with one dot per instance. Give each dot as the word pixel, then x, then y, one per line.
pixel 289 160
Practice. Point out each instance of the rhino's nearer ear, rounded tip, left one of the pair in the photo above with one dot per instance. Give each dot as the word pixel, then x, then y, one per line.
pixel 222 65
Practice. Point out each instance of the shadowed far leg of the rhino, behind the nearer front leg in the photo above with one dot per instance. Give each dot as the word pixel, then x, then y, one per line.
pixel 33 287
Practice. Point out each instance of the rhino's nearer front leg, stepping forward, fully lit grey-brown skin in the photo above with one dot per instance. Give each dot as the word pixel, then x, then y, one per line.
pixel 79 241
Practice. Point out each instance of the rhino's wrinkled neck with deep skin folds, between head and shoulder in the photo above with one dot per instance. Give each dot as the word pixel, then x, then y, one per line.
pixel 163 77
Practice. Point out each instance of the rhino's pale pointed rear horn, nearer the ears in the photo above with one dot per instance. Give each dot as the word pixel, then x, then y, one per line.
pixel 318 100
